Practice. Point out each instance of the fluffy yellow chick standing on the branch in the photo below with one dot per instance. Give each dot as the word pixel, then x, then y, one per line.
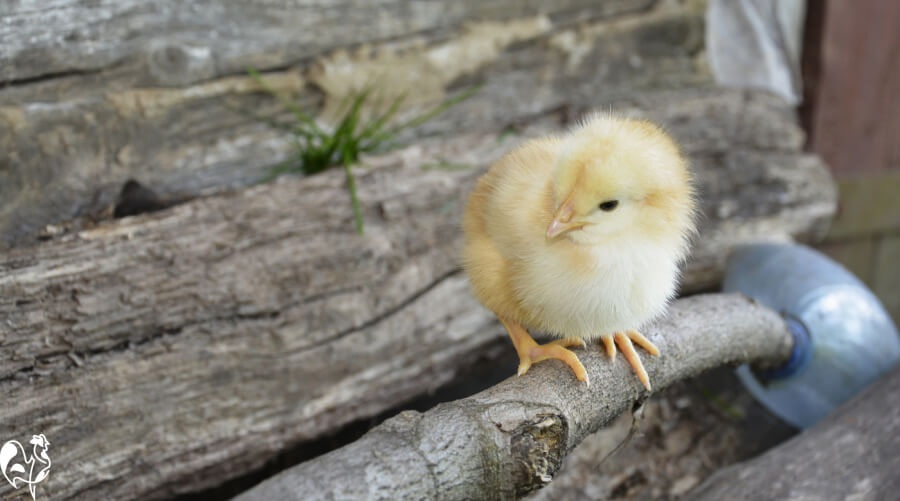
pixel 580 237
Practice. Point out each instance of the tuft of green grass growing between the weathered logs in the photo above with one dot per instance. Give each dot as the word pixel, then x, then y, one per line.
pixel 319 147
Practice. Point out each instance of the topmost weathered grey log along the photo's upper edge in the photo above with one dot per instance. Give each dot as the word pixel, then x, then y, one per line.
pixel 172 43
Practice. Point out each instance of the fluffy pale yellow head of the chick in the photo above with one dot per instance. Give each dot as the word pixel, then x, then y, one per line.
pixel 620 179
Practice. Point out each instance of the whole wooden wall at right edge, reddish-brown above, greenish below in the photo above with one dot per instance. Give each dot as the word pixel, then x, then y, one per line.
pixel 852 73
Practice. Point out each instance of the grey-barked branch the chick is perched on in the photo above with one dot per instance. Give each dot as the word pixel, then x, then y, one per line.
pixel 510 439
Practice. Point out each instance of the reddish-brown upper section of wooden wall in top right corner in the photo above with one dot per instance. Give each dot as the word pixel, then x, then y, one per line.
pixel 854 109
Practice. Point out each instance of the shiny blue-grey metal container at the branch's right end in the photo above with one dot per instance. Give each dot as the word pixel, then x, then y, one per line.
pixel 843 338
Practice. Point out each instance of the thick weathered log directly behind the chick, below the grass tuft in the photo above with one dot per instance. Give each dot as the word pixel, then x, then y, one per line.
pixel 173 350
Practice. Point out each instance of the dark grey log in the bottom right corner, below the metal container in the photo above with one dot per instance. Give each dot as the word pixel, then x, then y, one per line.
pixel 851 454
